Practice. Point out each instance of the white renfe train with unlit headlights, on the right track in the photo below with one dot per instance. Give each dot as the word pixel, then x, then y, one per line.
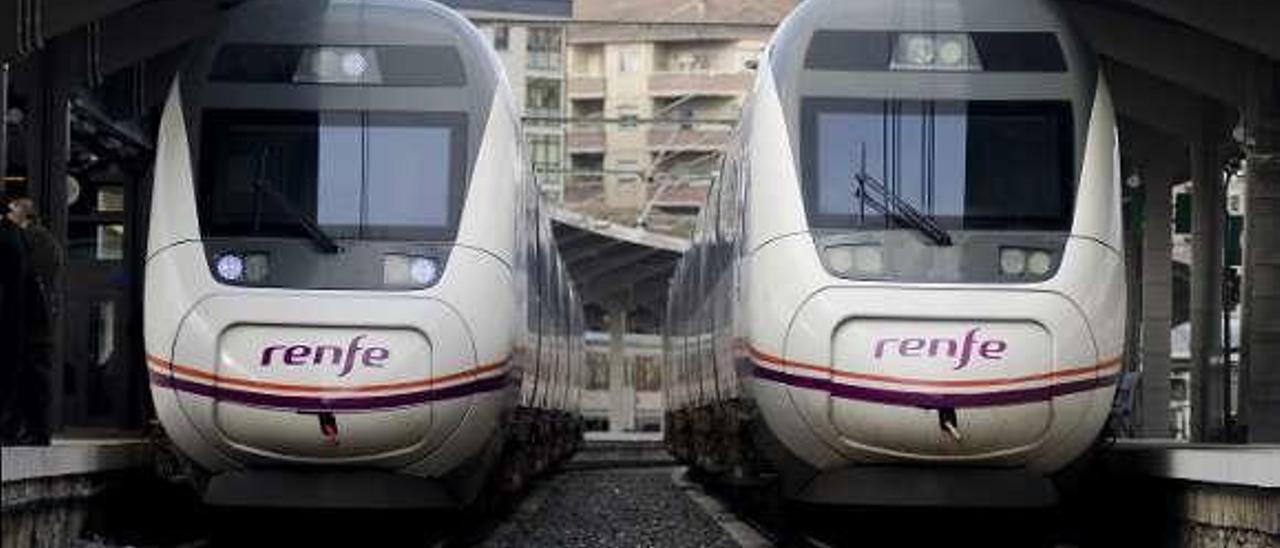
pixel 907 286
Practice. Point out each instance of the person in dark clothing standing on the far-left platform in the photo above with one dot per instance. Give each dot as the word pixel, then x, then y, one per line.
pixel 26 418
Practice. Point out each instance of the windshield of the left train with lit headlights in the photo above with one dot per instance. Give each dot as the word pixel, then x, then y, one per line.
pixel 349 175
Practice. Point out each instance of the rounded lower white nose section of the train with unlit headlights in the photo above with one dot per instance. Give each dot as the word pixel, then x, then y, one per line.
pixel 973 378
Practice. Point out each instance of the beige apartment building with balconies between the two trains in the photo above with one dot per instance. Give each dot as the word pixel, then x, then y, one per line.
pixel 655 89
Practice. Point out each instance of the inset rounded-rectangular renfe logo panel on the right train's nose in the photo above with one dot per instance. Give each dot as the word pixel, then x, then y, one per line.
pixel 986 377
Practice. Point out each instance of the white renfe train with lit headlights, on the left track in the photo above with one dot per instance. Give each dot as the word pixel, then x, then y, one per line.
pixel 353 294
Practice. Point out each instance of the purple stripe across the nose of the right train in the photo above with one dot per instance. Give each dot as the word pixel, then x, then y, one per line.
pixel 935 400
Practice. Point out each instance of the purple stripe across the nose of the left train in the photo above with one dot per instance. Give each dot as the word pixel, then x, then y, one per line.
pixel 322 404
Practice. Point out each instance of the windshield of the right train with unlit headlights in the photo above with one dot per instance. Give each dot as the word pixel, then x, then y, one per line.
pixel 952 166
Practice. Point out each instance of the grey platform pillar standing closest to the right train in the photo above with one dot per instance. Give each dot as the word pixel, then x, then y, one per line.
pixel 1158 295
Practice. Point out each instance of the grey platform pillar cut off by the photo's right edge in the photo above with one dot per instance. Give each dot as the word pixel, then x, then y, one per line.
pixel 1260 340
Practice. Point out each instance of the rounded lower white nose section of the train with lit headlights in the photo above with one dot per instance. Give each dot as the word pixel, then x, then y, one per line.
pixel 304 381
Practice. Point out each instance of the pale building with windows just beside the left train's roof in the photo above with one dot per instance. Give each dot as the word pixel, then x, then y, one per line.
pixel 531 38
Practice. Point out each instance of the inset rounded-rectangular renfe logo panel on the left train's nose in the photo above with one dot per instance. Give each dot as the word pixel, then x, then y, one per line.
pixel 356 382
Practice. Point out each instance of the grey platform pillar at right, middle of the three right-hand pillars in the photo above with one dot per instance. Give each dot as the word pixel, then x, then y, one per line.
pixel 1206 310
